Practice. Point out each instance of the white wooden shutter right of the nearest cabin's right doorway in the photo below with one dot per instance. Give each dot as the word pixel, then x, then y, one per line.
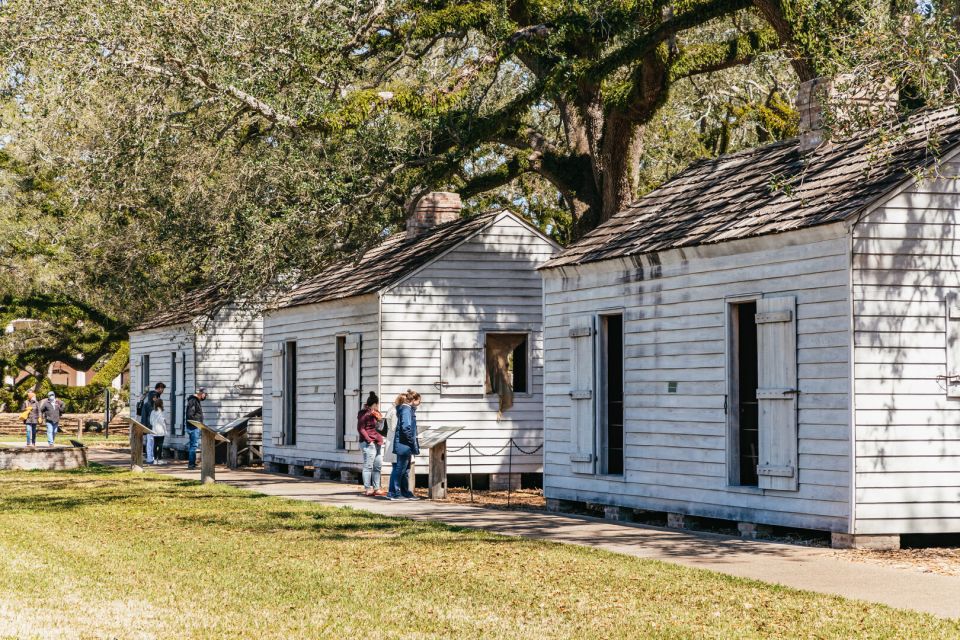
pixel 777 393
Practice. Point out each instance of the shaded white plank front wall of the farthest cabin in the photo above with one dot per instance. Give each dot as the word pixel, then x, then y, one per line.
pixel 160 344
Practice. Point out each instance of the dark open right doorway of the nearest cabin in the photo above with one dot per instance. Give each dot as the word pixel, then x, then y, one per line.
pixel 743 381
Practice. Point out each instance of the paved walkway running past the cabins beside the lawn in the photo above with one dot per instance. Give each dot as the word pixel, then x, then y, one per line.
pixel 813 569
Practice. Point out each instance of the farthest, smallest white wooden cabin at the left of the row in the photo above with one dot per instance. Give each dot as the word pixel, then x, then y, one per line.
pixel 202 342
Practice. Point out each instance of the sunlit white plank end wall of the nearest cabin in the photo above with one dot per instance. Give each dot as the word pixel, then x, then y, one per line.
pixel 906 265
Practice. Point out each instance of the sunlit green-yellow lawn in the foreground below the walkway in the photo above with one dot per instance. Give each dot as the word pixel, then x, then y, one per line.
pixel 105 553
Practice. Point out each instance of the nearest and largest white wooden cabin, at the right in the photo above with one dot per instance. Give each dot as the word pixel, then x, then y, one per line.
pixel 772 337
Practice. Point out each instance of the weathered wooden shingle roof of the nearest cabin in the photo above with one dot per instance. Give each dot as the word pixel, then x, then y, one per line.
pixel 770 189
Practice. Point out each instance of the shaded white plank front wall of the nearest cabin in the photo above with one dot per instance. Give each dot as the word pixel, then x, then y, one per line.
pixel 674 307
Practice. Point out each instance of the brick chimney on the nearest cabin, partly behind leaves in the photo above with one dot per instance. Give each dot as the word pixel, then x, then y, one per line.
pixel 852 106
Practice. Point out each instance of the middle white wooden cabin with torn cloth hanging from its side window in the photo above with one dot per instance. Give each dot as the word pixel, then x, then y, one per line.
pixel 423 310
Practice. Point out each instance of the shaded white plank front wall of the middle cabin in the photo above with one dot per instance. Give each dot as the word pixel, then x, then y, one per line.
pixel 315 329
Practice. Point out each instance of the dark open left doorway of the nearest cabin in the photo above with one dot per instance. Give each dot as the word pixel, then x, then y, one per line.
pixel 611 395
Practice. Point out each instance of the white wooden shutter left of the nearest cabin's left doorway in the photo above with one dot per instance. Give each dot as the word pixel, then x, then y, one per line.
pixel 582 425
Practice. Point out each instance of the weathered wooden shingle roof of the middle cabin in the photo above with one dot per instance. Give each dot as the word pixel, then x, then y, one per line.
pixel 387 263
